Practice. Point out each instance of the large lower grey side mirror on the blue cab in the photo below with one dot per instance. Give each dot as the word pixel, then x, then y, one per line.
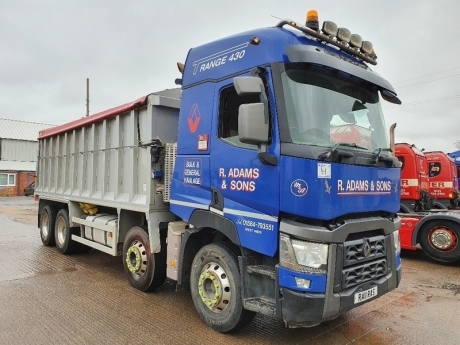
pixel 252 127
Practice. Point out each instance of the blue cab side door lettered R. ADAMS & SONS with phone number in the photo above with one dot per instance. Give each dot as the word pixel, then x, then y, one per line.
pixel 245 190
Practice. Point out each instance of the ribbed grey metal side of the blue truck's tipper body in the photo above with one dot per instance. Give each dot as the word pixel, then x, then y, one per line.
pixel 102 162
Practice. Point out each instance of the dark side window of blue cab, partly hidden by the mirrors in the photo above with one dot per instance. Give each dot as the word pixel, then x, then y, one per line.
pixel 229 104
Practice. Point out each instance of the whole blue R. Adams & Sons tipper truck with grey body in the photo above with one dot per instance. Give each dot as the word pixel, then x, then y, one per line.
pixel 235 186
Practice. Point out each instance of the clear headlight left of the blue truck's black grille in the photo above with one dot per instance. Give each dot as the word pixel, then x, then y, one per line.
pixel 303 256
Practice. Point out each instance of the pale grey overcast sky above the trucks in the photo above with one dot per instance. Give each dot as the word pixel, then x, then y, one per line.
pixel 130 48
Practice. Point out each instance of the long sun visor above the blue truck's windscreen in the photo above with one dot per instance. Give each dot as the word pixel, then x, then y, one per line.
pixel 316 55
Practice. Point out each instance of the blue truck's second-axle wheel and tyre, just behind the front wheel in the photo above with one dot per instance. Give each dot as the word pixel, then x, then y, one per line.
pixel 145 271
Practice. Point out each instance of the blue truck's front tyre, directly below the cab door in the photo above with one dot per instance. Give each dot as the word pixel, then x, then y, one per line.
pixel 215 285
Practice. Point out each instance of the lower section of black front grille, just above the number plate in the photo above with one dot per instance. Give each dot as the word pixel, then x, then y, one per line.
pixel 362 273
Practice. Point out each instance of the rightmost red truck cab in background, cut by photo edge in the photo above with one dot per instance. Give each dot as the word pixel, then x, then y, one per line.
pixel 443 180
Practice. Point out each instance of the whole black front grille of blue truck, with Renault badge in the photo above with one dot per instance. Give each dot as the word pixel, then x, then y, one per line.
pixel 361 260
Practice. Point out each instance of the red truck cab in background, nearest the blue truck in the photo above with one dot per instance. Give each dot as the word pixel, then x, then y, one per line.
pixel 415 195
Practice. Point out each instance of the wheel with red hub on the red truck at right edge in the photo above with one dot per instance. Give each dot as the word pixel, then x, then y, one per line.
pixel 440 240
